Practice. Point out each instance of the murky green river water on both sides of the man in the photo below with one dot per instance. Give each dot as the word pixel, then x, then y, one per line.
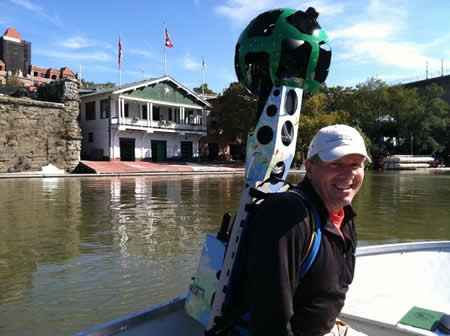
pixel 77 252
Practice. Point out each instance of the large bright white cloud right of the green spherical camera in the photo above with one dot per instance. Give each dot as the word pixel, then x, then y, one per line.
pixel 378 39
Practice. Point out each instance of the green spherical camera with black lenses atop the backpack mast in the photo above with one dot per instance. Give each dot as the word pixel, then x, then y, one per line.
pixel 283 47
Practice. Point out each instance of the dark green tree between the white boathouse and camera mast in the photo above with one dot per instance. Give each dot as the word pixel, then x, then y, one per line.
pixel 238 109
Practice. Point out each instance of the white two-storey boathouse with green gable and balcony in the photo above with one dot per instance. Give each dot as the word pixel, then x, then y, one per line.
pixel 157 120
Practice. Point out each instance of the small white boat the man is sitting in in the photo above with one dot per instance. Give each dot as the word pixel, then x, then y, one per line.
pixel 389 281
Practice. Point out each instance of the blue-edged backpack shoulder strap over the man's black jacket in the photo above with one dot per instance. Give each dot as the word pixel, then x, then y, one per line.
pixel 316 236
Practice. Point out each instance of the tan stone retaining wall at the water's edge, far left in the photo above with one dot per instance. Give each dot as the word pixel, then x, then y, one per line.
pixel 36 133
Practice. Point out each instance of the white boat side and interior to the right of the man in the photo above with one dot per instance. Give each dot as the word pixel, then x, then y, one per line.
pixel 390 280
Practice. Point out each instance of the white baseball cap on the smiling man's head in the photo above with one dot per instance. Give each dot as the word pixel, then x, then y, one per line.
pixel 336 141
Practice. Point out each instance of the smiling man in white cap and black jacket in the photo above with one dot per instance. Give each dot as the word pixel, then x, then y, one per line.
pixel 281 303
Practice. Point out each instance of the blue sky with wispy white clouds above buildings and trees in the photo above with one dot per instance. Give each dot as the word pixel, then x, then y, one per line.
pixel 392 40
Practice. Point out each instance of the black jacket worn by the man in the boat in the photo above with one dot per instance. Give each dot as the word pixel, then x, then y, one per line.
pixel 279 302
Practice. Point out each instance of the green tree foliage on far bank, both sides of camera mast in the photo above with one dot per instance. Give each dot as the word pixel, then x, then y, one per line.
pixel 386 116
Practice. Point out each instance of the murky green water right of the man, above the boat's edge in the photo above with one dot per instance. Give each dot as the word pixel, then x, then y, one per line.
pixel 400 206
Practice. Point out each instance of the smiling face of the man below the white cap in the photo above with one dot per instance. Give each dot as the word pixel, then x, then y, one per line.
pixel 338 181
